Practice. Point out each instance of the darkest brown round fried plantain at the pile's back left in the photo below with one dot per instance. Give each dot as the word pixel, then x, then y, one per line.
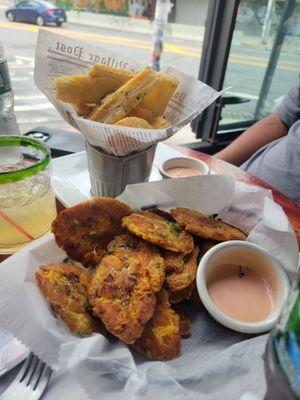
pixel 84 231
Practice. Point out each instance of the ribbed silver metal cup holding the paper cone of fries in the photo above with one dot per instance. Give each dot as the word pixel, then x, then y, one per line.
pixel 109 174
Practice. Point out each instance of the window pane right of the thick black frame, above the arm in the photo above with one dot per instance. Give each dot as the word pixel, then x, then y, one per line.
pixel 264 60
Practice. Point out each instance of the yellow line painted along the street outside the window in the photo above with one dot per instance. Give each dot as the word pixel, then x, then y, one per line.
pixel 191 52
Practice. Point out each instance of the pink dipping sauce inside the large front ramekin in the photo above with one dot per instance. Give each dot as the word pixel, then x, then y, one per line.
pixel 241 293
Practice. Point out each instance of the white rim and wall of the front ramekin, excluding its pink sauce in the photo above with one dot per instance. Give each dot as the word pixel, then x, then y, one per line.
pixel 243 253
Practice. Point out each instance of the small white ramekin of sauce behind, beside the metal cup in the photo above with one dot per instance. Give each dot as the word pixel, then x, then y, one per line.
pixel 180 167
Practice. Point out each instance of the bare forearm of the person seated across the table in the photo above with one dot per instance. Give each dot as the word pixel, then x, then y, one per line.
pixel 262 132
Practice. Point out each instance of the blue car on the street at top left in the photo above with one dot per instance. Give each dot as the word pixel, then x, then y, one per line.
pixel 35 11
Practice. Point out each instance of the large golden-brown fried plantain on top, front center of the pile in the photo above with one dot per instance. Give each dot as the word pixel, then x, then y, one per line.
pixel 123 287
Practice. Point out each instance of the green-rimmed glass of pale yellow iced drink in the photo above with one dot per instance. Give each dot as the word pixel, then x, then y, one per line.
pixel 27 200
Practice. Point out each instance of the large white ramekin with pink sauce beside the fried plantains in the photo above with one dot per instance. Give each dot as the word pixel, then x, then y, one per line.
pixel 242 286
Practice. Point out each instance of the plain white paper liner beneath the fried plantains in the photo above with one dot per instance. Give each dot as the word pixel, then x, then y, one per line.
pixel 215 362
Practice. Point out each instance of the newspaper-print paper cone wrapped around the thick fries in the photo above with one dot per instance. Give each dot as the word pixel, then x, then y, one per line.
pixel 58 55
